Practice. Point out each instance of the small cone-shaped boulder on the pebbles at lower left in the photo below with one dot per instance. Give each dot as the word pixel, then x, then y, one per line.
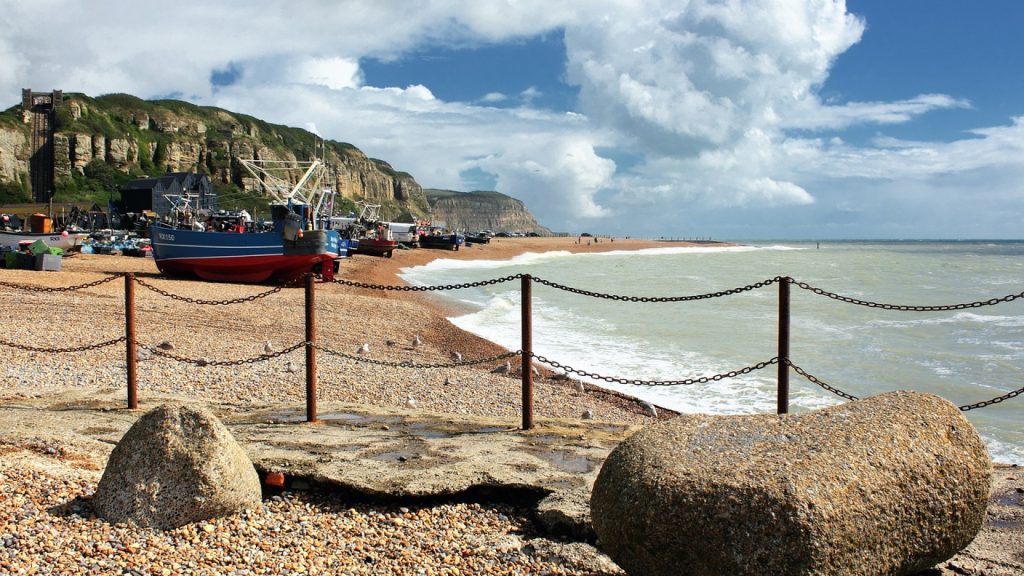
pixel 175 467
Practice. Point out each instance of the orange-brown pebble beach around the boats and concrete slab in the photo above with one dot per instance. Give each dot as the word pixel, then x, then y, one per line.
pixel 48 525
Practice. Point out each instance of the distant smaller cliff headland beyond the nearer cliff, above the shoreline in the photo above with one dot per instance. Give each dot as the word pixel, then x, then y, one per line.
pixel 475 212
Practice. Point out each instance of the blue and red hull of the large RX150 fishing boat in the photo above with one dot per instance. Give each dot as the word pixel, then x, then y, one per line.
pixel 226 257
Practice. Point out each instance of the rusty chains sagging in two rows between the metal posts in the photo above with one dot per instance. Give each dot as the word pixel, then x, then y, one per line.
pixel 567 369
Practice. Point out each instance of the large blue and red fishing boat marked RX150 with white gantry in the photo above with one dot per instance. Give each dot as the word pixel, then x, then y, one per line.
pixel 294 246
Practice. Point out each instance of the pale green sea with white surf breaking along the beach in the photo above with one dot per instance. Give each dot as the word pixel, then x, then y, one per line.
pixel 965 356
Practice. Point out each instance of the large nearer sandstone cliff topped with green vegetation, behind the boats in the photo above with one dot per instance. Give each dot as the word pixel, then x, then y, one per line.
pixel 142 138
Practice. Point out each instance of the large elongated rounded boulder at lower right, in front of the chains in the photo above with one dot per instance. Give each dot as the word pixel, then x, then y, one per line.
pixel 889 485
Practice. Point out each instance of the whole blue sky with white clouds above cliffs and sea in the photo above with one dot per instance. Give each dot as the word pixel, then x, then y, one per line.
pixel 726 119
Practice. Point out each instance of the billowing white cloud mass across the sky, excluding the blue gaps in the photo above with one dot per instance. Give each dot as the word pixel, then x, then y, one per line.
pixel 691 111
